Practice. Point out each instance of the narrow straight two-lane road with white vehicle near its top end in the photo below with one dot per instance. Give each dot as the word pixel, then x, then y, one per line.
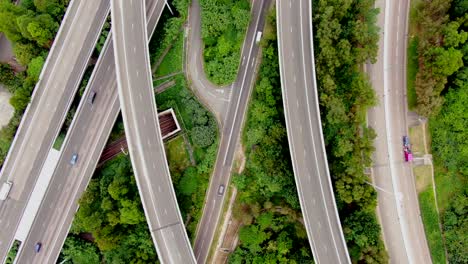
pixel 241 90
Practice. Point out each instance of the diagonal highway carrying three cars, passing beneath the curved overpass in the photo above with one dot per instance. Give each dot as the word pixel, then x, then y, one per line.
pixel 87 136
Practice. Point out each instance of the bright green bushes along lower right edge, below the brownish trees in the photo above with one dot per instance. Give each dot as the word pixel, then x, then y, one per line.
pixel 450 151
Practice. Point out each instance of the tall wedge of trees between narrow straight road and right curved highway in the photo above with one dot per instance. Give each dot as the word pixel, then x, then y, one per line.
pixel 267 202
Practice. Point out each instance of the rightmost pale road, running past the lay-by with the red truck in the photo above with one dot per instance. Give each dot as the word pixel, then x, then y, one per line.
pixel 399 212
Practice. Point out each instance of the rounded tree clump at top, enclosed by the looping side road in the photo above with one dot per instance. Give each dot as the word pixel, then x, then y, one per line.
pixel 223 28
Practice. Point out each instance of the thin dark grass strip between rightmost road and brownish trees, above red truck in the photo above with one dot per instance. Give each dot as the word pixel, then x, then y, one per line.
pixel 412 70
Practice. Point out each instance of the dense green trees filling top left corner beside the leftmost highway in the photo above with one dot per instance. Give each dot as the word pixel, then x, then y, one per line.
pixel 30 27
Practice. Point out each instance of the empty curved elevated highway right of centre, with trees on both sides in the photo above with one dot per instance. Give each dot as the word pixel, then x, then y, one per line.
pixel 304 128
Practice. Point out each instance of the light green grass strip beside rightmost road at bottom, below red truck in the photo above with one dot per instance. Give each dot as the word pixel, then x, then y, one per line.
pixel 431 225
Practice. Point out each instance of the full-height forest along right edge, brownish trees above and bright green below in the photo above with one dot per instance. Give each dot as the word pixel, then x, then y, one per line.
pixel 442 94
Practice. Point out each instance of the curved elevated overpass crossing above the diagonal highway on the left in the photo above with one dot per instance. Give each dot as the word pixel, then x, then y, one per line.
pixel 145 144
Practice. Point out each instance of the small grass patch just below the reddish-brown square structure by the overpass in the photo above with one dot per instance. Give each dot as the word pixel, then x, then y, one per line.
pixel 177 154
